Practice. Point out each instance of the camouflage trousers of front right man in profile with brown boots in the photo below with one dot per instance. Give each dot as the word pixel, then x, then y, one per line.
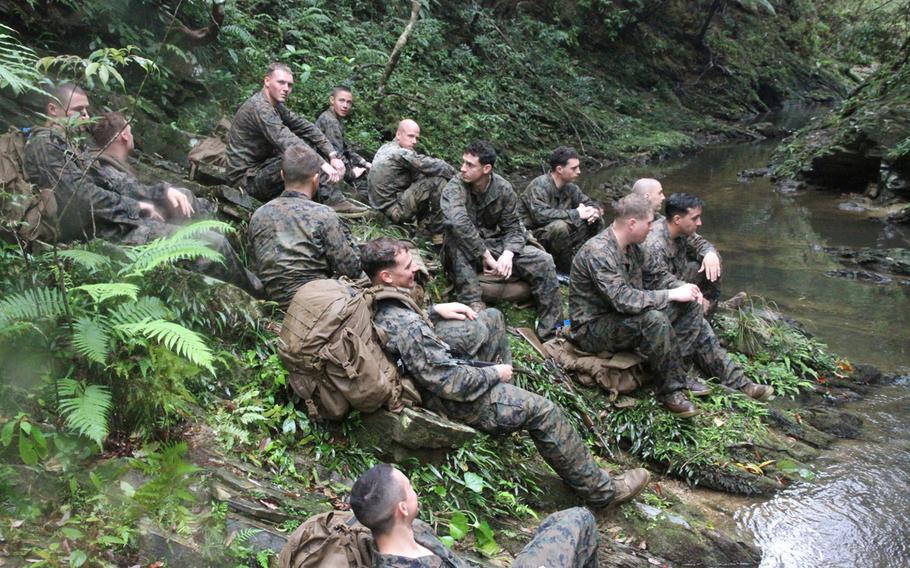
pixel 666 338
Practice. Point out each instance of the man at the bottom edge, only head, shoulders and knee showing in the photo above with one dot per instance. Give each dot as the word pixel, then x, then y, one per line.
pixel 384 501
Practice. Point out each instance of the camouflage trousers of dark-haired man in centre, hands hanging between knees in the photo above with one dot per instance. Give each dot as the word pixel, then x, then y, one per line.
pixel 530 264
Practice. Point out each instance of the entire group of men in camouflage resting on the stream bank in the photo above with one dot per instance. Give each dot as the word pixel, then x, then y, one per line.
pixel 644 282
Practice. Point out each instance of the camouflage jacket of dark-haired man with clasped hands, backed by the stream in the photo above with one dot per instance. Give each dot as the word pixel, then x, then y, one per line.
pixel 543 202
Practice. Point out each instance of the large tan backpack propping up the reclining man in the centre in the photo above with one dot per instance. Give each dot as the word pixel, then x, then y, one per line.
pixel 333 352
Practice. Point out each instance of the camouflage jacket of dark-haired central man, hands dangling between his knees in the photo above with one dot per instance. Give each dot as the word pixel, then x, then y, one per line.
pixel 481 221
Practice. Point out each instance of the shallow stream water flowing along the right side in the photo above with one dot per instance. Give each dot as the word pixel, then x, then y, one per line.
pixel 854 512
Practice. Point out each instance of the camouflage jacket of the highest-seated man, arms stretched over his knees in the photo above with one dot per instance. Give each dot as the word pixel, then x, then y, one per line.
pixel 261 131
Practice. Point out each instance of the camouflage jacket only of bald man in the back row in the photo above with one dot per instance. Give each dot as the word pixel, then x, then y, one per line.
pixel 396 168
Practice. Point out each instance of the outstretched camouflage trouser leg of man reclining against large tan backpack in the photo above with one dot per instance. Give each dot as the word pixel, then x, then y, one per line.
pixel 506 408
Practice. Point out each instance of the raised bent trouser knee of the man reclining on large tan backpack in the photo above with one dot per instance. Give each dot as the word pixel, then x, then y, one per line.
pixel 483 339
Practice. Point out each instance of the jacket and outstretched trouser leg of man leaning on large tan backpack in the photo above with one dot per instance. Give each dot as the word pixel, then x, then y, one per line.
pixel 476 397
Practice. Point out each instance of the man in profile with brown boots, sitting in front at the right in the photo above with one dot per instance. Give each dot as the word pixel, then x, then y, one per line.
pixel 612 310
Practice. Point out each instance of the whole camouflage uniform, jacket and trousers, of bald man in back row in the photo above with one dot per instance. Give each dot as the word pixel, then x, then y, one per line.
pixel 405 185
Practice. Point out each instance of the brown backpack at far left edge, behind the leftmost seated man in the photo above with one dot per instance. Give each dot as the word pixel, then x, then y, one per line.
pixel 26 214
